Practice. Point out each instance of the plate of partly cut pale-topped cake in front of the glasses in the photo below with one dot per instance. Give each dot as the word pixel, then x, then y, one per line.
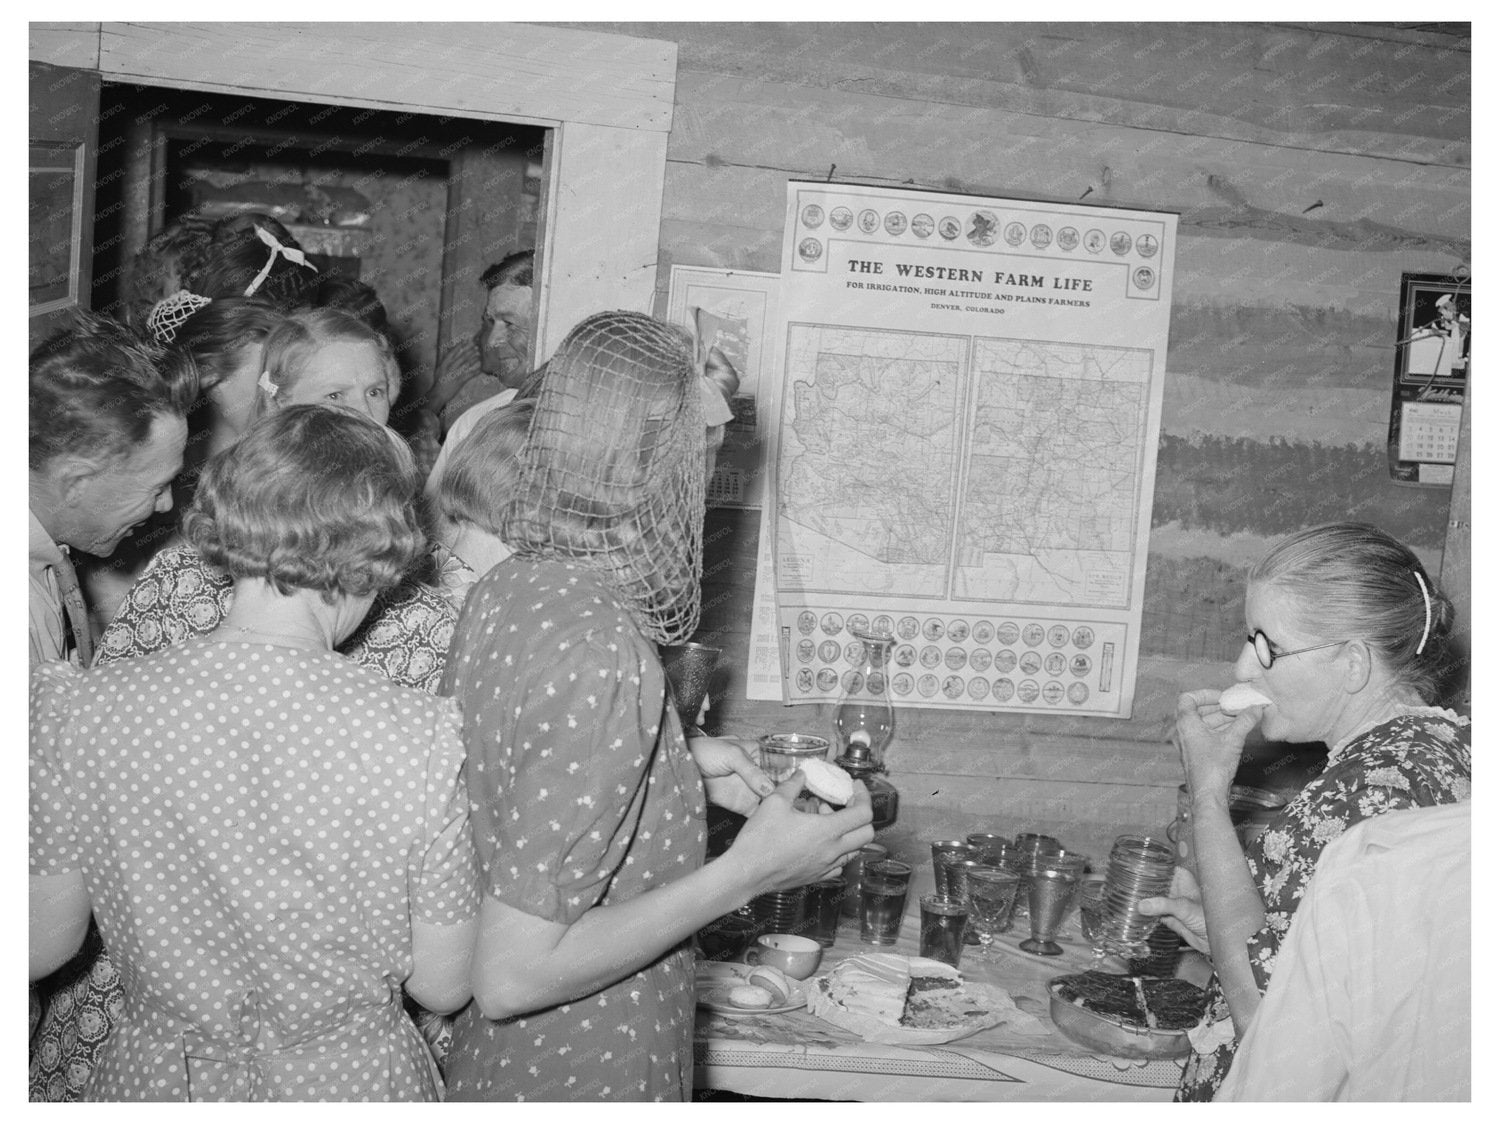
pixel 911 1000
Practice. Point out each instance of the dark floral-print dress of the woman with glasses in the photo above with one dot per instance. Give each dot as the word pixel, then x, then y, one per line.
pixel 1417 760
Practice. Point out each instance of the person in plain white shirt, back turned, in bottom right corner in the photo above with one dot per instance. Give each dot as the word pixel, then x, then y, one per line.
pixel 1370 999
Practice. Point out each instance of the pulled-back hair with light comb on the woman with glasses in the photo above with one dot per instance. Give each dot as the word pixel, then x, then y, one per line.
pixel 1355 582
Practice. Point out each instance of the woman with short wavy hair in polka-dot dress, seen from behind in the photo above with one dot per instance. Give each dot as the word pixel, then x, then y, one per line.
pixel 272 840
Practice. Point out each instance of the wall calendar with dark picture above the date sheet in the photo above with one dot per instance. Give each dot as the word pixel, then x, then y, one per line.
pixel 1432 376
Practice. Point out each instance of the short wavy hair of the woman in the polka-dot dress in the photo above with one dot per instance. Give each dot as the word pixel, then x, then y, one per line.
pixel 311 499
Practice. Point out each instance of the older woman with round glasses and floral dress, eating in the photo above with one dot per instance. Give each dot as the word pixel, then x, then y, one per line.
pixel 1348 646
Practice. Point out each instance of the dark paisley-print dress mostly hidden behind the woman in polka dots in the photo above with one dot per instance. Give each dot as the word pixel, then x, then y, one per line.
pixel 406 639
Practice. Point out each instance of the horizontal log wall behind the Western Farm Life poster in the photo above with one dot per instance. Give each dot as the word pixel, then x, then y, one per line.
pixel 1310 164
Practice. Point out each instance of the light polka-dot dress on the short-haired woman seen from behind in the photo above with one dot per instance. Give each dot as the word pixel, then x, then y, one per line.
pixel 257 828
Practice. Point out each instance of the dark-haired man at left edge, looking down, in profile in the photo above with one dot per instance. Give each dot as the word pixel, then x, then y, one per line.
pixel 106 440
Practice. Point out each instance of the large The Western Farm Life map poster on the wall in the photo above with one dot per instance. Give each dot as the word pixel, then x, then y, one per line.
pixel 968 400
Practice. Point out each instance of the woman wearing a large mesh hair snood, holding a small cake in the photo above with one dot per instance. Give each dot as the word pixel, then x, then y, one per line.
pixel 589 808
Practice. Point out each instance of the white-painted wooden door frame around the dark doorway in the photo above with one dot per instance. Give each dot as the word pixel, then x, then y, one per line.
pixel 605 100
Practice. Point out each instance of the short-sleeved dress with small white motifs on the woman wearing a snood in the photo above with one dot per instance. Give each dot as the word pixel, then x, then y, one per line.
pixel 583 793
